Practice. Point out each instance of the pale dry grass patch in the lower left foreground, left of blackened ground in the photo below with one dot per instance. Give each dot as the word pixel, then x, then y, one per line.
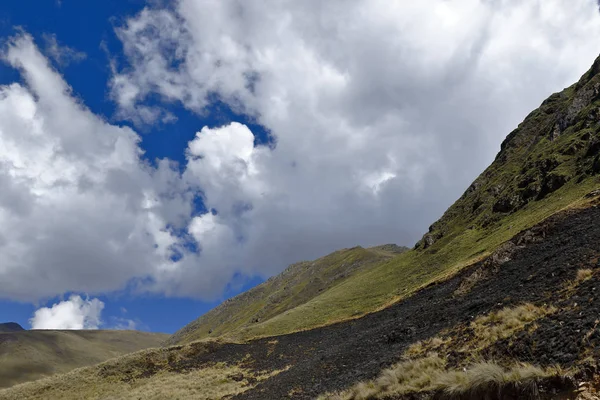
pixel 147 374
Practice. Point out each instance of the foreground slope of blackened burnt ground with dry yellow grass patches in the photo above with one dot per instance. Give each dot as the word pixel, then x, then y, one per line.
pixel 525 329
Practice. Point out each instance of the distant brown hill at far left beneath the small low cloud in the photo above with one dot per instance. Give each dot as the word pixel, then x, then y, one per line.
pixel 29 355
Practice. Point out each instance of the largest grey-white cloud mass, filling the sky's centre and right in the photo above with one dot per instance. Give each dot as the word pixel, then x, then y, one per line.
pixel 382 111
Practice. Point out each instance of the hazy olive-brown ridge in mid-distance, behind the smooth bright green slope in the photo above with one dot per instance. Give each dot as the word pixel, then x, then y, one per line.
pixel 298 284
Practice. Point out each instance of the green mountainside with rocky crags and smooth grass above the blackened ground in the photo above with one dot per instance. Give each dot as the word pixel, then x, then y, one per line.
pixel 550 162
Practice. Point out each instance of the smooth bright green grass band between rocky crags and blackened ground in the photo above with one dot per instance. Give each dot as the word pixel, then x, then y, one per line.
pixel 400 277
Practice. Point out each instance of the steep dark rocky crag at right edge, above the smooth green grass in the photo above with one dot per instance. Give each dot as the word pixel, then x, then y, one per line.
pixel 556 144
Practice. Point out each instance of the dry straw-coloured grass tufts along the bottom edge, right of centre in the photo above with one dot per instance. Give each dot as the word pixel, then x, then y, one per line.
pixel 429 375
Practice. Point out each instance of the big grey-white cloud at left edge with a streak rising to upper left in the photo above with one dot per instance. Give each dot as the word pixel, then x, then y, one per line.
pixel 79 210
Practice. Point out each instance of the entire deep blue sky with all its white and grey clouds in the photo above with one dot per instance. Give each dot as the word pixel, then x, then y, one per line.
pixel 159 157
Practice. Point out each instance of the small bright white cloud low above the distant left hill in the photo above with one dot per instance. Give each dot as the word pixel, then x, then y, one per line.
pixel 75 313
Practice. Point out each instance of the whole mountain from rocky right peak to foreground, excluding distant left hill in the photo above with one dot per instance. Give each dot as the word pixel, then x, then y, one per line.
pixel 498 300
